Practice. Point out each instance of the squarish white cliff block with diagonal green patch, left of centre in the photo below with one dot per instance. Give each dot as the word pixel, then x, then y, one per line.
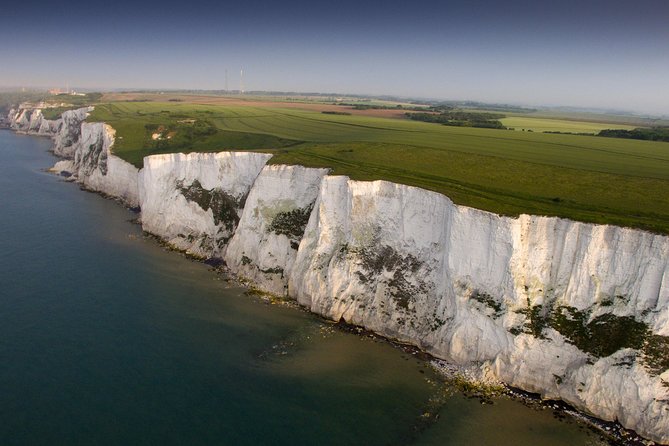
pixel 194 201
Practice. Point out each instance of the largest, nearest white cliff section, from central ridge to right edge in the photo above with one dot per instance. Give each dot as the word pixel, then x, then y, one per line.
pixel 570 310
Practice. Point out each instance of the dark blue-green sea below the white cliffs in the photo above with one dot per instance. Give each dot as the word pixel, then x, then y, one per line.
pixel 106 338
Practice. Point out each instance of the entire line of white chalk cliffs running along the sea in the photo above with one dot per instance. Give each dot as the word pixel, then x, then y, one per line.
pixel 570 310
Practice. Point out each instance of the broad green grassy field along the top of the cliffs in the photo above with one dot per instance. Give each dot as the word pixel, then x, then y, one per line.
pixel 586 178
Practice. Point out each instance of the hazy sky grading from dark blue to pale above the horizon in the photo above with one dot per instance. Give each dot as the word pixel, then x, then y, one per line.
pixel 609 54
